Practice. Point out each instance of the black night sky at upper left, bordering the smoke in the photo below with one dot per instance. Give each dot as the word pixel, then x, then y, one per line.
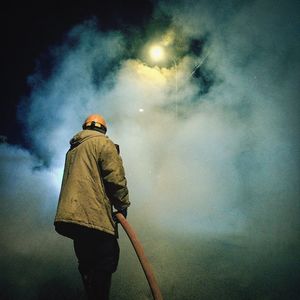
pixel 28 31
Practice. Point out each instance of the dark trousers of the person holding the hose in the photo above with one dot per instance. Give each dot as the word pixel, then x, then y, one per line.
pixel 98 256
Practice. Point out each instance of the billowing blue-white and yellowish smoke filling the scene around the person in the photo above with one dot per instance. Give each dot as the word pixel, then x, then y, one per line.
pixel 211 156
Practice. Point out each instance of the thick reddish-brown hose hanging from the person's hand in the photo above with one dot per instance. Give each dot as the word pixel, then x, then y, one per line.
pixel 141 256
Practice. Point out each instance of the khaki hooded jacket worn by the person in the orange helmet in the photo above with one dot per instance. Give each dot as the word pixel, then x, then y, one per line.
pixel 93 182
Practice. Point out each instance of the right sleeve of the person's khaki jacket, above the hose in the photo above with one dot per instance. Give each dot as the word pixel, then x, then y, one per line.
pixel 113 176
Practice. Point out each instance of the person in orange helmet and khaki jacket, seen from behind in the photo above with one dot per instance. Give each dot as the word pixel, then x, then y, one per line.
pixel 93 184
